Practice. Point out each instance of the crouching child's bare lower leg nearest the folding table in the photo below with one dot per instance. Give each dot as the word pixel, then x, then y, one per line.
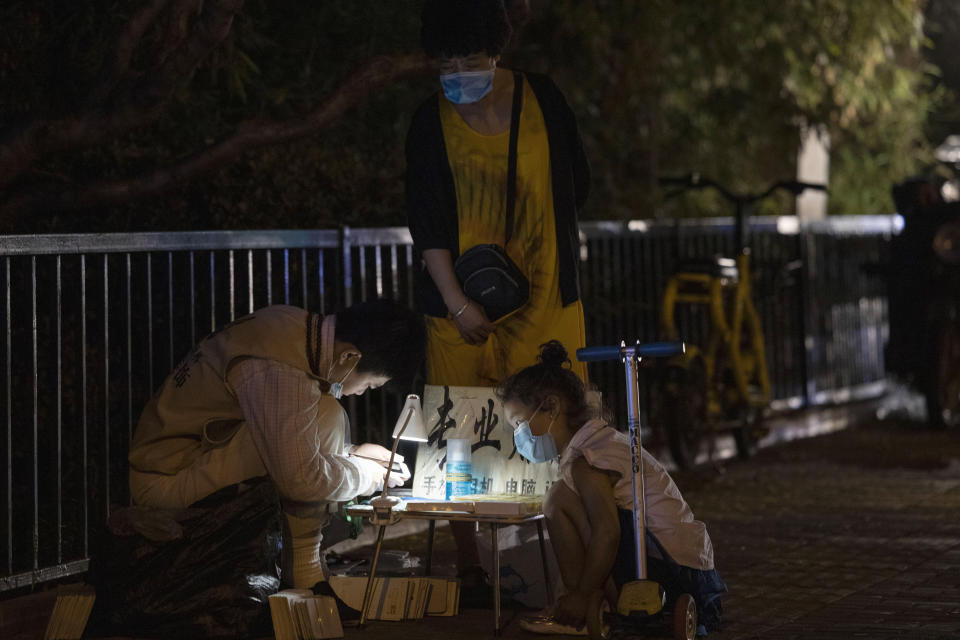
pixel 569 532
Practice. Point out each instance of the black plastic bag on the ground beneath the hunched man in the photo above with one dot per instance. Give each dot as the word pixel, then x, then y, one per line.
pixel 209 578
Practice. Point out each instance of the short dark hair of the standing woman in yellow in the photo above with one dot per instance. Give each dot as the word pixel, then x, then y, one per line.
pixel 459 28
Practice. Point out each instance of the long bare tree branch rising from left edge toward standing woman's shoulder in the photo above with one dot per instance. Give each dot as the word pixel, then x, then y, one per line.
pixel 249 135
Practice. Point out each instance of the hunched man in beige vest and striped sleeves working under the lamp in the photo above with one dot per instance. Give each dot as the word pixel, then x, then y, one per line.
pixel 260 398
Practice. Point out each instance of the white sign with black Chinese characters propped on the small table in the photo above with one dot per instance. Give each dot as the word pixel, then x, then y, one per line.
pixel 475 413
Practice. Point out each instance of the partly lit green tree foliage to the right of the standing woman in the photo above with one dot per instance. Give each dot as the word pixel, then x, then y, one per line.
pixel 724 87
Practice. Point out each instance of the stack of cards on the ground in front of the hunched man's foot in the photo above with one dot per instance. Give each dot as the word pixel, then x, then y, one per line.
pixel 298 614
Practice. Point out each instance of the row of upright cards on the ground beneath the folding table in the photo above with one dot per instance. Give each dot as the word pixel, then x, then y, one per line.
pixel 401 598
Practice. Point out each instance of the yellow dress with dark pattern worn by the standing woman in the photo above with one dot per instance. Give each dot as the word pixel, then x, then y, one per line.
pixel 479 166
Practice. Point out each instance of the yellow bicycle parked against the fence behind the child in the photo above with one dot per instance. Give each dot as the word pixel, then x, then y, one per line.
pixel 723 385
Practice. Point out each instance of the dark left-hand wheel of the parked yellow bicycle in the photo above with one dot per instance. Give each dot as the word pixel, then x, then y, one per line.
pixel 681 410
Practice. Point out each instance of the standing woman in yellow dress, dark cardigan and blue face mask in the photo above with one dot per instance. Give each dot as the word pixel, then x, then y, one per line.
pixel 457 151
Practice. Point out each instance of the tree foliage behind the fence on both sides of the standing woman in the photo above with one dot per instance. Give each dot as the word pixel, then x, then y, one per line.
pixel 178 114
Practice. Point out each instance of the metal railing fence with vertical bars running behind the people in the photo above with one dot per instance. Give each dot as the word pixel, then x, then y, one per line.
pixel 92 324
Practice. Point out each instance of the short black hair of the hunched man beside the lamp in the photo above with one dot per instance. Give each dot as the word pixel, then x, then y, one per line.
pixel 391 338
